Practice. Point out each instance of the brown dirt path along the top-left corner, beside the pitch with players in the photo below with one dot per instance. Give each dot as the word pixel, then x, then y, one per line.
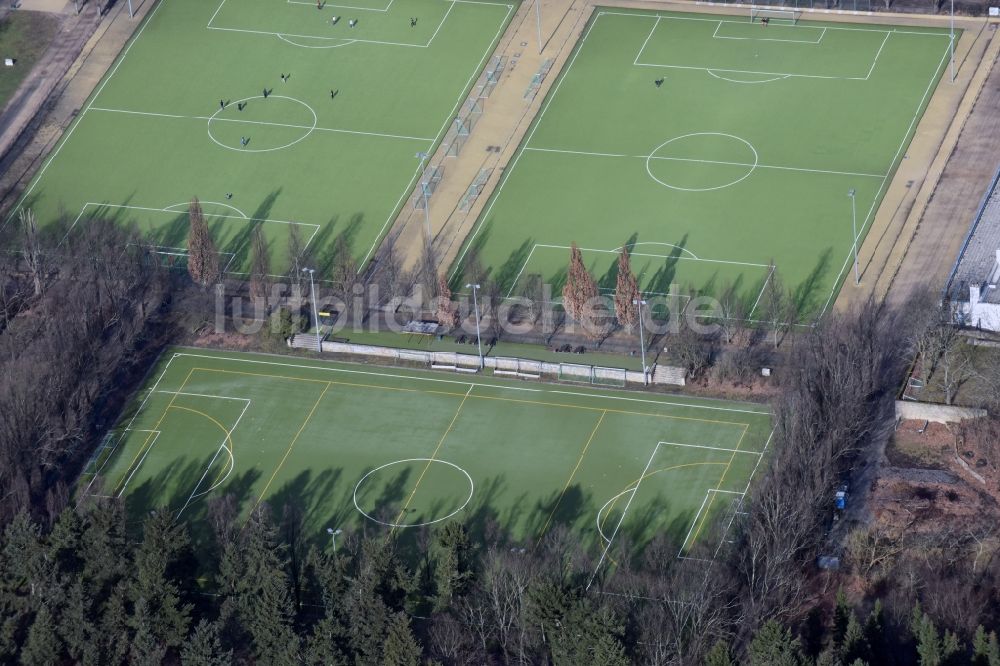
pixel 50 98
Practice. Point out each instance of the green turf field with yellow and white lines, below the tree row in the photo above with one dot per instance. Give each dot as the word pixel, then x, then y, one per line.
pixel 355 446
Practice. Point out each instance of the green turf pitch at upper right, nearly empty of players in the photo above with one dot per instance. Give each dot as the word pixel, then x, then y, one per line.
pixel 743 155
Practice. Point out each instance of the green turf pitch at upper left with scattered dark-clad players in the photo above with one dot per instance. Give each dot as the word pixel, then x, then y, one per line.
pixel 154 134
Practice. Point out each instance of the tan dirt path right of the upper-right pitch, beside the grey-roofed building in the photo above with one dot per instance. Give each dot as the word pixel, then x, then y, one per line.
pixel 930 203
